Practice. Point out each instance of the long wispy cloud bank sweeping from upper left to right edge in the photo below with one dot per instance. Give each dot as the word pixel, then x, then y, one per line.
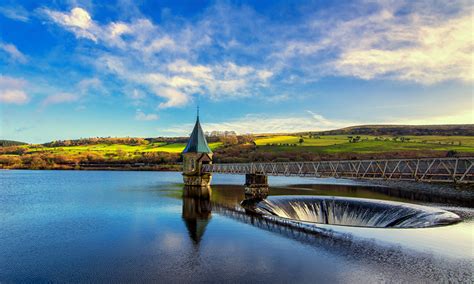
pixel 176 60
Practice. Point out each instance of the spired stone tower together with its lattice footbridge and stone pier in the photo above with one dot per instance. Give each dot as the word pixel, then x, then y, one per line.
pixel 198 168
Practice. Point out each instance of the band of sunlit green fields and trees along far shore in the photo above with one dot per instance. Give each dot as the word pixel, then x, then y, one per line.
pixel 98 153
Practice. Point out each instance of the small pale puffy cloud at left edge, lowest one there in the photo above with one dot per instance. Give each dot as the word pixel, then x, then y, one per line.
pixel 12 90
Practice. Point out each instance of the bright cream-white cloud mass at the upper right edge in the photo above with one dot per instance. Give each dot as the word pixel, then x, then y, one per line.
pixel 433 52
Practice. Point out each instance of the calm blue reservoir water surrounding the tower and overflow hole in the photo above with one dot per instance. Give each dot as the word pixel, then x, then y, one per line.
pixel 135 226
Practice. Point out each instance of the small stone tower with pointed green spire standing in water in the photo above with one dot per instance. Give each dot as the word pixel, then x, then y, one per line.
pixel 196 154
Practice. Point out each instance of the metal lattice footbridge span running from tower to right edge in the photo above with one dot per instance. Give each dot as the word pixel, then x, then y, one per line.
pixel 459 170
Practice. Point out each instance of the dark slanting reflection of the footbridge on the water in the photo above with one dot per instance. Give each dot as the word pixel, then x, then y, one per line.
pixel 358 250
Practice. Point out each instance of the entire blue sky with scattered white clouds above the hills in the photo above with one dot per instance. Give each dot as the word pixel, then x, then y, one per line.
pixel 76 69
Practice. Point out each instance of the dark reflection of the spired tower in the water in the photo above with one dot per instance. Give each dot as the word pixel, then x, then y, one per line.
pixel 196 211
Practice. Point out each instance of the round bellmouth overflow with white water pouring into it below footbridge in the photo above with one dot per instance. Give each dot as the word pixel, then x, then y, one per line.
pixel 356 212
